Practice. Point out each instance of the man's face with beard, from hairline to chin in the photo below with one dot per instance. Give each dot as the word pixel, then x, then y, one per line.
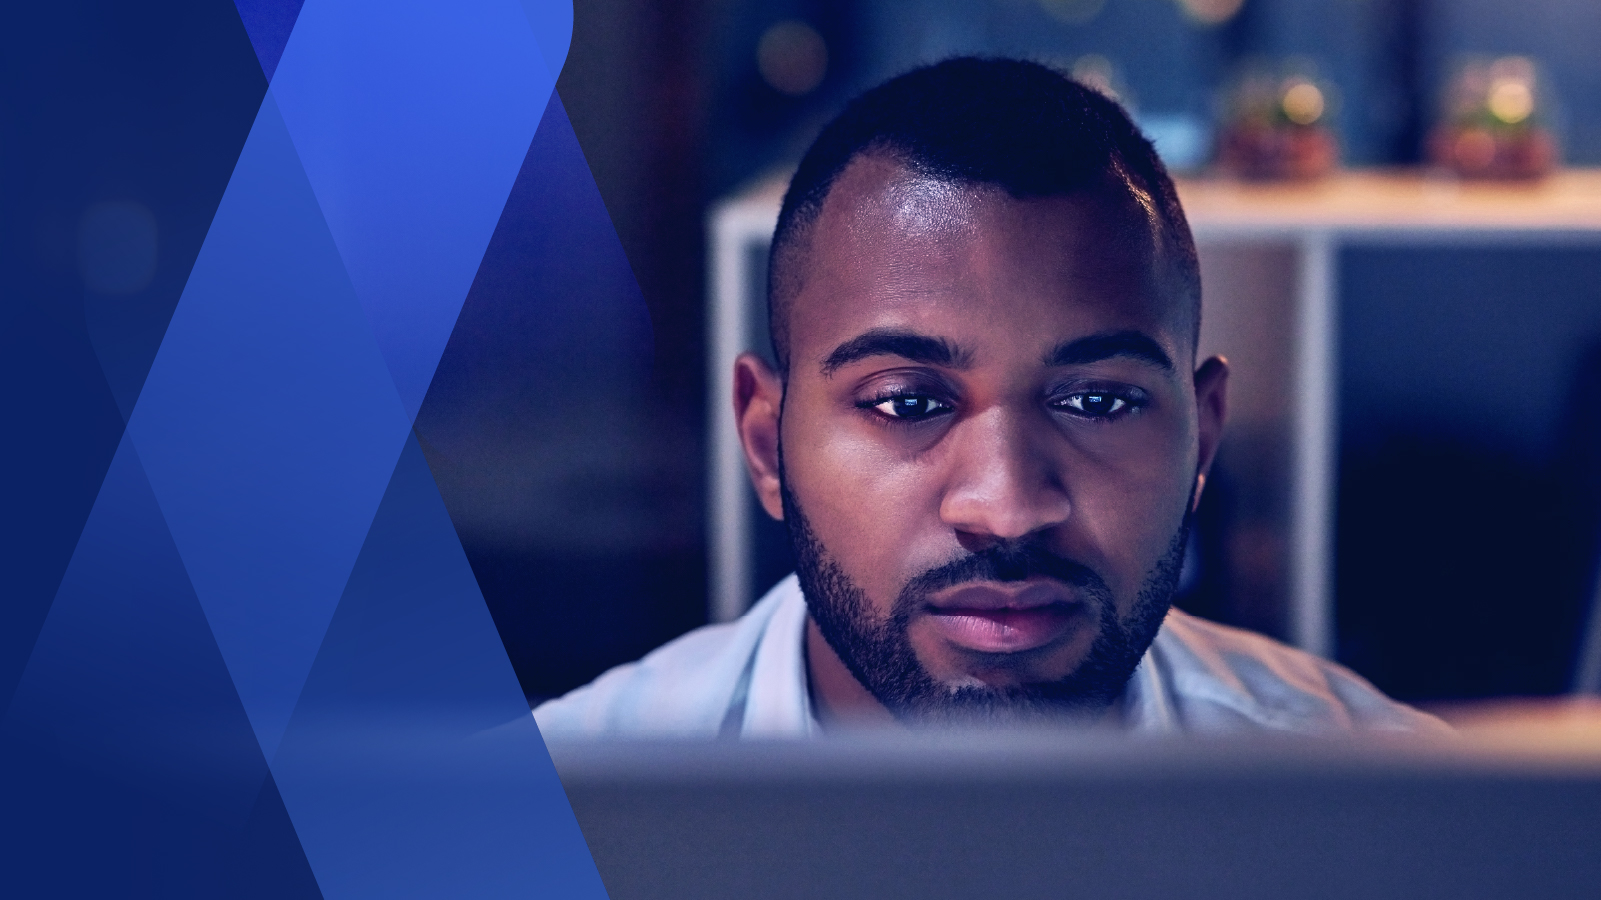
pixel 989 441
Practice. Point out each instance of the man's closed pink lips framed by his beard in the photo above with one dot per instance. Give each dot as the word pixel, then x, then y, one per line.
pixel 1005 619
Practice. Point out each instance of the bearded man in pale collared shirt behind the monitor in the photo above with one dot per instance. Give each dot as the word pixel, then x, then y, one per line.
pixel 987 436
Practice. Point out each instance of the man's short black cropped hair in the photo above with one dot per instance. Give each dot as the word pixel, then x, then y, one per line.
pixel 982 121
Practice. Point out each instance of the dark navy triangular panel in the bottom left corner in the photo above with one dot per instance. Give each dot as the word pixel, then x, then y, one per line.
pixel 138 766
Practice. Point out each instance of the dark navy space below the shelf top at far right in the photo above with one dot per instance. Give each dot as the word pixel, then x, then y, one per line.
pixel 1471 470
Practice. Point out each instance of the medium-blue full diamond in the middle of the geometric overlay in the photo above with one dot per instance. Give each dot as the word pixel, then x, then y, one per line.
pixel 270 427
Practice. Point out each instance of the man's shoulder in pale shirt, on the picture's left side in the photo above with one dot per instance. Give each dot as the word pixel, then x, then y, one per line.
pixel 683 688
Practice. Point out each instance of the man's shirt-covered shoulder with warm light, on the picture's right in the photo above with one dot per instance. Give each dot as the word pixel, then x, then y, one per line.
pixel 1226 678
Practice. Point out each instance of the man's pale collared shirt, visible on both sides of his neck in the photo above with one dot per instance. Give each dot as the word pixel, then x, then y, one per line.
pixel 748 678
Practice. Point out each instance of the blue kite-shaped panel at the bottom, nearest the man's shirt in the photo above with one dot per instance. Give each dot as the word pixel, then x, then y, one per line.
pixel 395 768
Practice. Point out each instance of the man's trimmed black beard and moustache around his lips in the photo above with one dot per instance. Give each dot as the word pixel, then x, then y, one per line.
pixel 881 657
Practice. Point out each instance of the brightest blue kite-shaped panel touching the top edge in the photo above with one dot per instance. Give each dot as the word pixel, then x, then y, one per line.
pixel 412 121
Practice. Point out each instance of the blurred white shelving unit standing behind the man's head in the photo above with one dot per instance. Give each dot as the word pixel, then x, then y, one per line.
pixel 1269 257
